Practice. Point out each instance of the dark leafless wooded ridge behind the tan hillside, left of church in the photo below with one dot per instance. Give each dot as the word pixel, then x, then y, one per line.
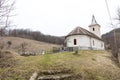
pixel 34 35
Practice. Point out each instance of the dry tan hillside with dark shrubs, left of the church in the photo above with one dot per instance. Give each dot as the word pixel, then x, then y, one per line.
pixel 21 45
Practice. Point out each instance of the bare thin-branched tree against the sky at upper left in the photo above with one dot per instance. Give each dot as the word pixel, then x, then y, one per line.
pixel 6 6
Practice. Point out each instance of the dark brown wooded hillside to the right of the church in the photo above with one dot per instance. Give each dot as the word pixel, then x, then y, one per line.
pixel 112 42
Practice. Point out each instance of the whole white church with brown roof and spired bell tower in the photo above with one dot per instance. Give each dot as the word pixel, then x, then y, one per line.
pixel 84 39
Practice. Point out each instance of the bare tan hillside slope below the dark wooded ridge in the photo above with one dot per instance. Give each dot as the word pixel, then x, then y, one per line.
pixel 31 45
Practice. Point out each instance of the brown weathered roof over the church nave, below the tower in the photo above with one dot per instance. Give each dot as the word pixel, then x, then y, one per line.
pixel 81 31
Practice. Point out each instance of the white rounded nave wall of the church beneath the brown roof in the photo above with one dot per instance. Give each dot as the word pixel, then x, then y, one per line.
pixel 84 42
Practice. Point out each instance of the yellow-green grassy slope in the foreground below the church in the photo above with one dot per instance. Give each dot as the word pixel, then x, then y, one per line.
pixel 91 65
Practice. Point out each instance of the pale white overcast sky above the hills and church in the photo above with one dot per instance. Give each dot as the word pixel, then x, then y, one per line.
pixel 59 17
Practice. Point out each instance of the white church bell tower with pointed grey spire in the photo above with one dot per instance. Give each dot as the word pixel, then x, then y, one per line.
pixel 94 27
